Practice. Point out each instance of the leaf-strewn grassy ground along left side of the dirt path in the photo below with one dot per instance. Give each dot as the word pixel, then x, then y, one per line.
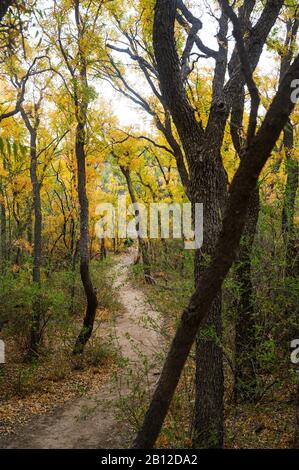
pixel 57 376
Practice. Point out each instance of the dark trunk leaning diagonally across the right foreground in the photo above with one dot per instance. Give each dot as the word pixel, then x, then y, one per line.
pixel 210 282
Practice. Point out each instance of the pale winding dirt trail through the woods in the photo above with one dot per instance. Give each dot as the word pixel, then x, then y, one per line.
pixel 90 422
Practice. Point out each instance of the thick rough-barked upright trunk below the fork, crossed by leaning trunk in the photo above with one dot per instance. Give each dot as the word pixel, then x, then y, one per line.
pixel 209 391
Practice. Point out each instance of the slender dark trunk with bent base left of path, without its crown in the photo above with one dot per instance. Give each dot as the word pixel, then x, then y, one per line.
pixel 90 291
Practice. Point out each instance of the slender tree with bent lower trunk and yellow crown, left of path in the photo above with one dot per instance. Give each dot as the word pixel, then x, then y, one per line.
pixel 75 57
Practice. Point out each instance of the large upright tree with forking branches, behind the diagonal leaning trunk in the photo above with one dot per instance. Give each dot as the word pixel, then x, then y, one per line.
pixel 195 137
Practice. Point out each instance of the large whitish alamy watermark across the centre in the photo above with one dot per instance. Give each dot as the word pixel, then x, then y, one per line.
pixel 156 220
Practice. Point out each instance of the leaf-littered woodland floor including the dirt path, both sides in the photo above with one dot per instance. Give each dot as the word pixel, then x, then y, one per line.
pixel 85 408
